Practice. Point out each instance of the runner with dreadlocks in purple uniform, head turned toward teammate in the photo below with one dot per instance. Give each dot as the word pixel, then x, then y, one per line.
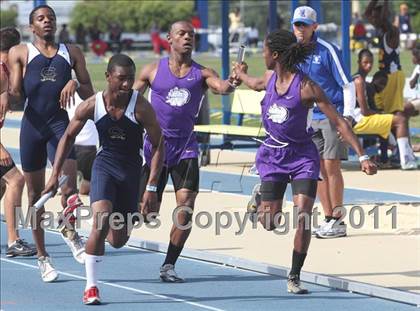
pixel 288 153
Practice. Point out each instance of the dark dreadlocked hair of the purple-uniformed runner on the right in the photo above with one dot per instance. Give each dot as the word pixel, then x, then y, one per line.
pixel 291 52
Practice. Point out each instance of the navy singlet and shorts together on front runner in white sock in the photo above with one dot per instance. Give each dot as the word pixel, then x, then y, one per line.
pixel 117 167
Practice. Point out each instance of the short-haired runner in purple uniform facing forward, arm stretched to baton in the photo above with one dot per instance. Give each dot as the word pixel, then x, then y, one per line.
pixel 177 87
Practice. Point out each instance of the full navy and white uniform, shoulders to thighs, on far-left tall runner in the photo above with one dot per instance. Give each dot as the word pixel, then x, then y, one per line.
pixel 43 122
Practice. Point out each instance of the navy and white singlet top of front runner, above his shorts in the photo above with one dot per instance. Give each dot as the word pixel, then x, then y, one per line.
pixel 121 139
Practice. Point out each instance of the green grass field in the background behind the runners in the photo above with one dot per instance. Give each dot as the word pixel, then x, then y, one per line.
pixel 256 68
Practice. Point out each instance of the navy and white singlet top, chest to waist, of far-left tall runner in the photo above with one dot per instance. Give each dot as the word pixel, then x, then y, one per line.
pixel 43 81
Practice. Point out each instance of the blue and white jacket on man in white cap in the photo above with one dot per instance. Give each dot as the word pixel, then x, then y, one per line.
pixel 326 67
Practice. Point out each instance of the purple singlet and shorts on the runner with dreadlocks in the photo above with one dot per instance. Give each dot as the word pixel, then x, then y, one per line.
pixel 288 152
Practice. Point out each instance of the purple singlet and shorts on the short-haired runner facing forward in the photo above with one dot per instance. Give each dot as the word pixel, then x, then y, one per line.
pixel 176 102
